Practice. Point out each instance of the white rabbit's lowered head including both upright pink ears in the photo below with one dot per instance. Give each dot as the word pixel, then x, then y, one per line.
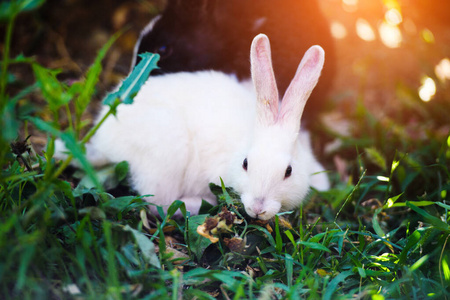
pixel 275 172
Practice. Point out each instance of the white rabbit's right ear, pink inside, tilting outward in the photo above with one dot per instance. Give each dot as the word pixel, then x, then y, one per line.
pixel 301 86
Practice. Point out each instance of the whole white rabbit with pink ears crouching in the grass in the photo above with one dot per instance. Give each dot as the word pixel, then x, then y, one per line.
pixel 185 130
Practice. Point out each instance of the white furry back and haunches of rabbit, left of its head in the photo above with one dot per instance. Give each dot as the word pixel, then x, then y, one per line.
pixel 180 131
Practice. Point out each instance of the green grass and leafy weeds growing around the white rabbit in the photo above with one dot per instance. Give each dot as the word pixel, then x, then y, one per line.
pixel 383 234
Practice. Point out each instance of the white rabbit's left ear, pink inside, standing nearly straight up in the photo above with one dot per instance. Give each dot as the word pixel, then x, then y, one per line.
pixel 264 80
